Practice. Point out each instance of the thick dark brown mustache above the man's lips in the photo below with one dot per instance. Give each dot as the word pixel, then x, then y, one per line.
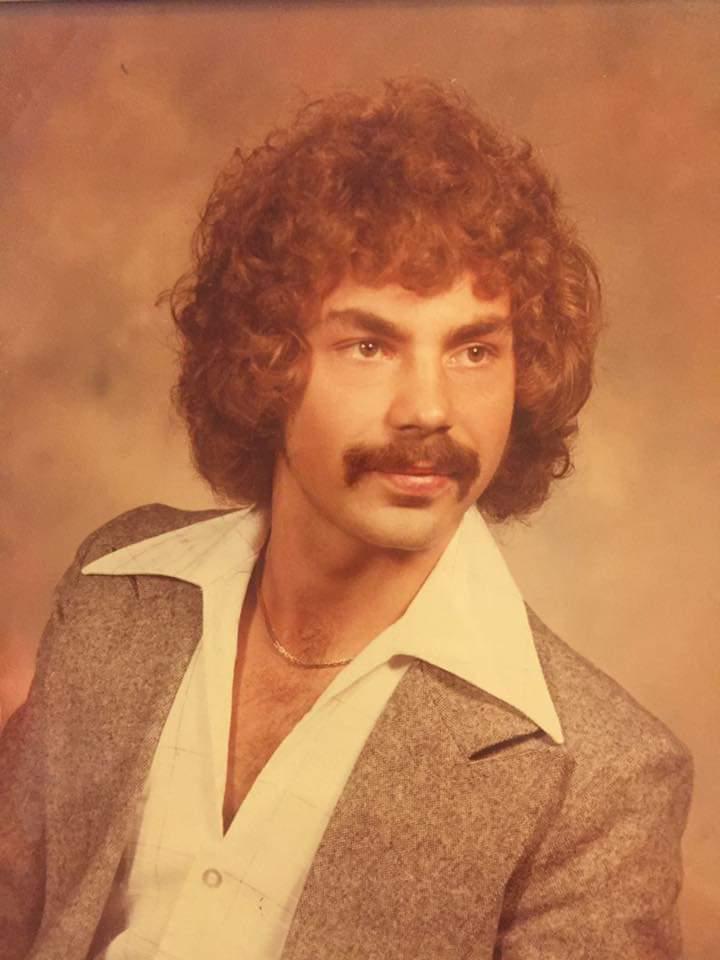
pixel 439 454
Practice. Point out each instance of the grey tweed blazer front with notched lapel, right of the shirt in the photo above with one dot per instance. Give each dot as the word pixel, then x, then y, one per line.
pixel 443 802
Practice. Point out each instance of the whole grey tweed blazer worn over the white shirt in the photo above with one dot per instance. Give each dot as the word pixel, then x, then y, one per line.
pixel 463 831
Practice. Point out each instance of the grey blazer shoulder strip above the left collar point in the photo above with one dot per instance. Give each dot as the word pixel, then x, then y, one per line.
pixel 140 523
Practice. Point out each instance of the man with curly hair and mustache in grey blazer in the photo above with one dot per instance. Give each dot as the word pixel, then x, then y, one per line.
pixel 324 725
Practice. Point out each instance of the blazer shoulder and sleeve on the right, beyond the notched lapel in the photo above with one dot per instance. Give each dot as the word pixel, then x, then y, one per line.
pixel 607 868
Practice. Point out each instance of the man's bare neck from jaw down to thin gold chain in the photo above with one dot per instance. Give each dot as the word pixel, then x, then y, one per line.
pixel 329 594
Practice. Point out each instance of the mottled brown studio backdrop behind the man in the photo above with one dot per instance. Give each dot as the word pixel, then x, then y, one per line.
pixel 114 121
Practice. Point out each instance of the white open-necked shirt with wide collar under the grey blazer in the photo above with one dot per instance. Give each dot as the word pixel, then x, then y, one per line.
pixel 185 890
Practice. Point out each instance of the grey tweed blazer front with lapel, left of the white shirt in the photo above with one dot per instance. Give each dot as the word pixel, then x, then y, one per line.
pixel 109 731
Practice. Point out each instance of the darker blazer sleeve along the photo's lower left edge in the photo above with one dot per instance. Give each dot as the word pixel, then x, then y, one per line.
pixel 22 796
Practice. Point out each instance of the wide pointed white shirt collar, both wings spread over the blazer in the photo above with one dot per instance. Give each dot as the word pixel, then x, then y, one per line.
pixel 468 618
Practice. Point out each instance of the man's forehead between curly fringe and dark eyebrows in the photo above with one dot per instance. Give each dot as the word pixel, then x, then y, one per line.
pixel 460 304
